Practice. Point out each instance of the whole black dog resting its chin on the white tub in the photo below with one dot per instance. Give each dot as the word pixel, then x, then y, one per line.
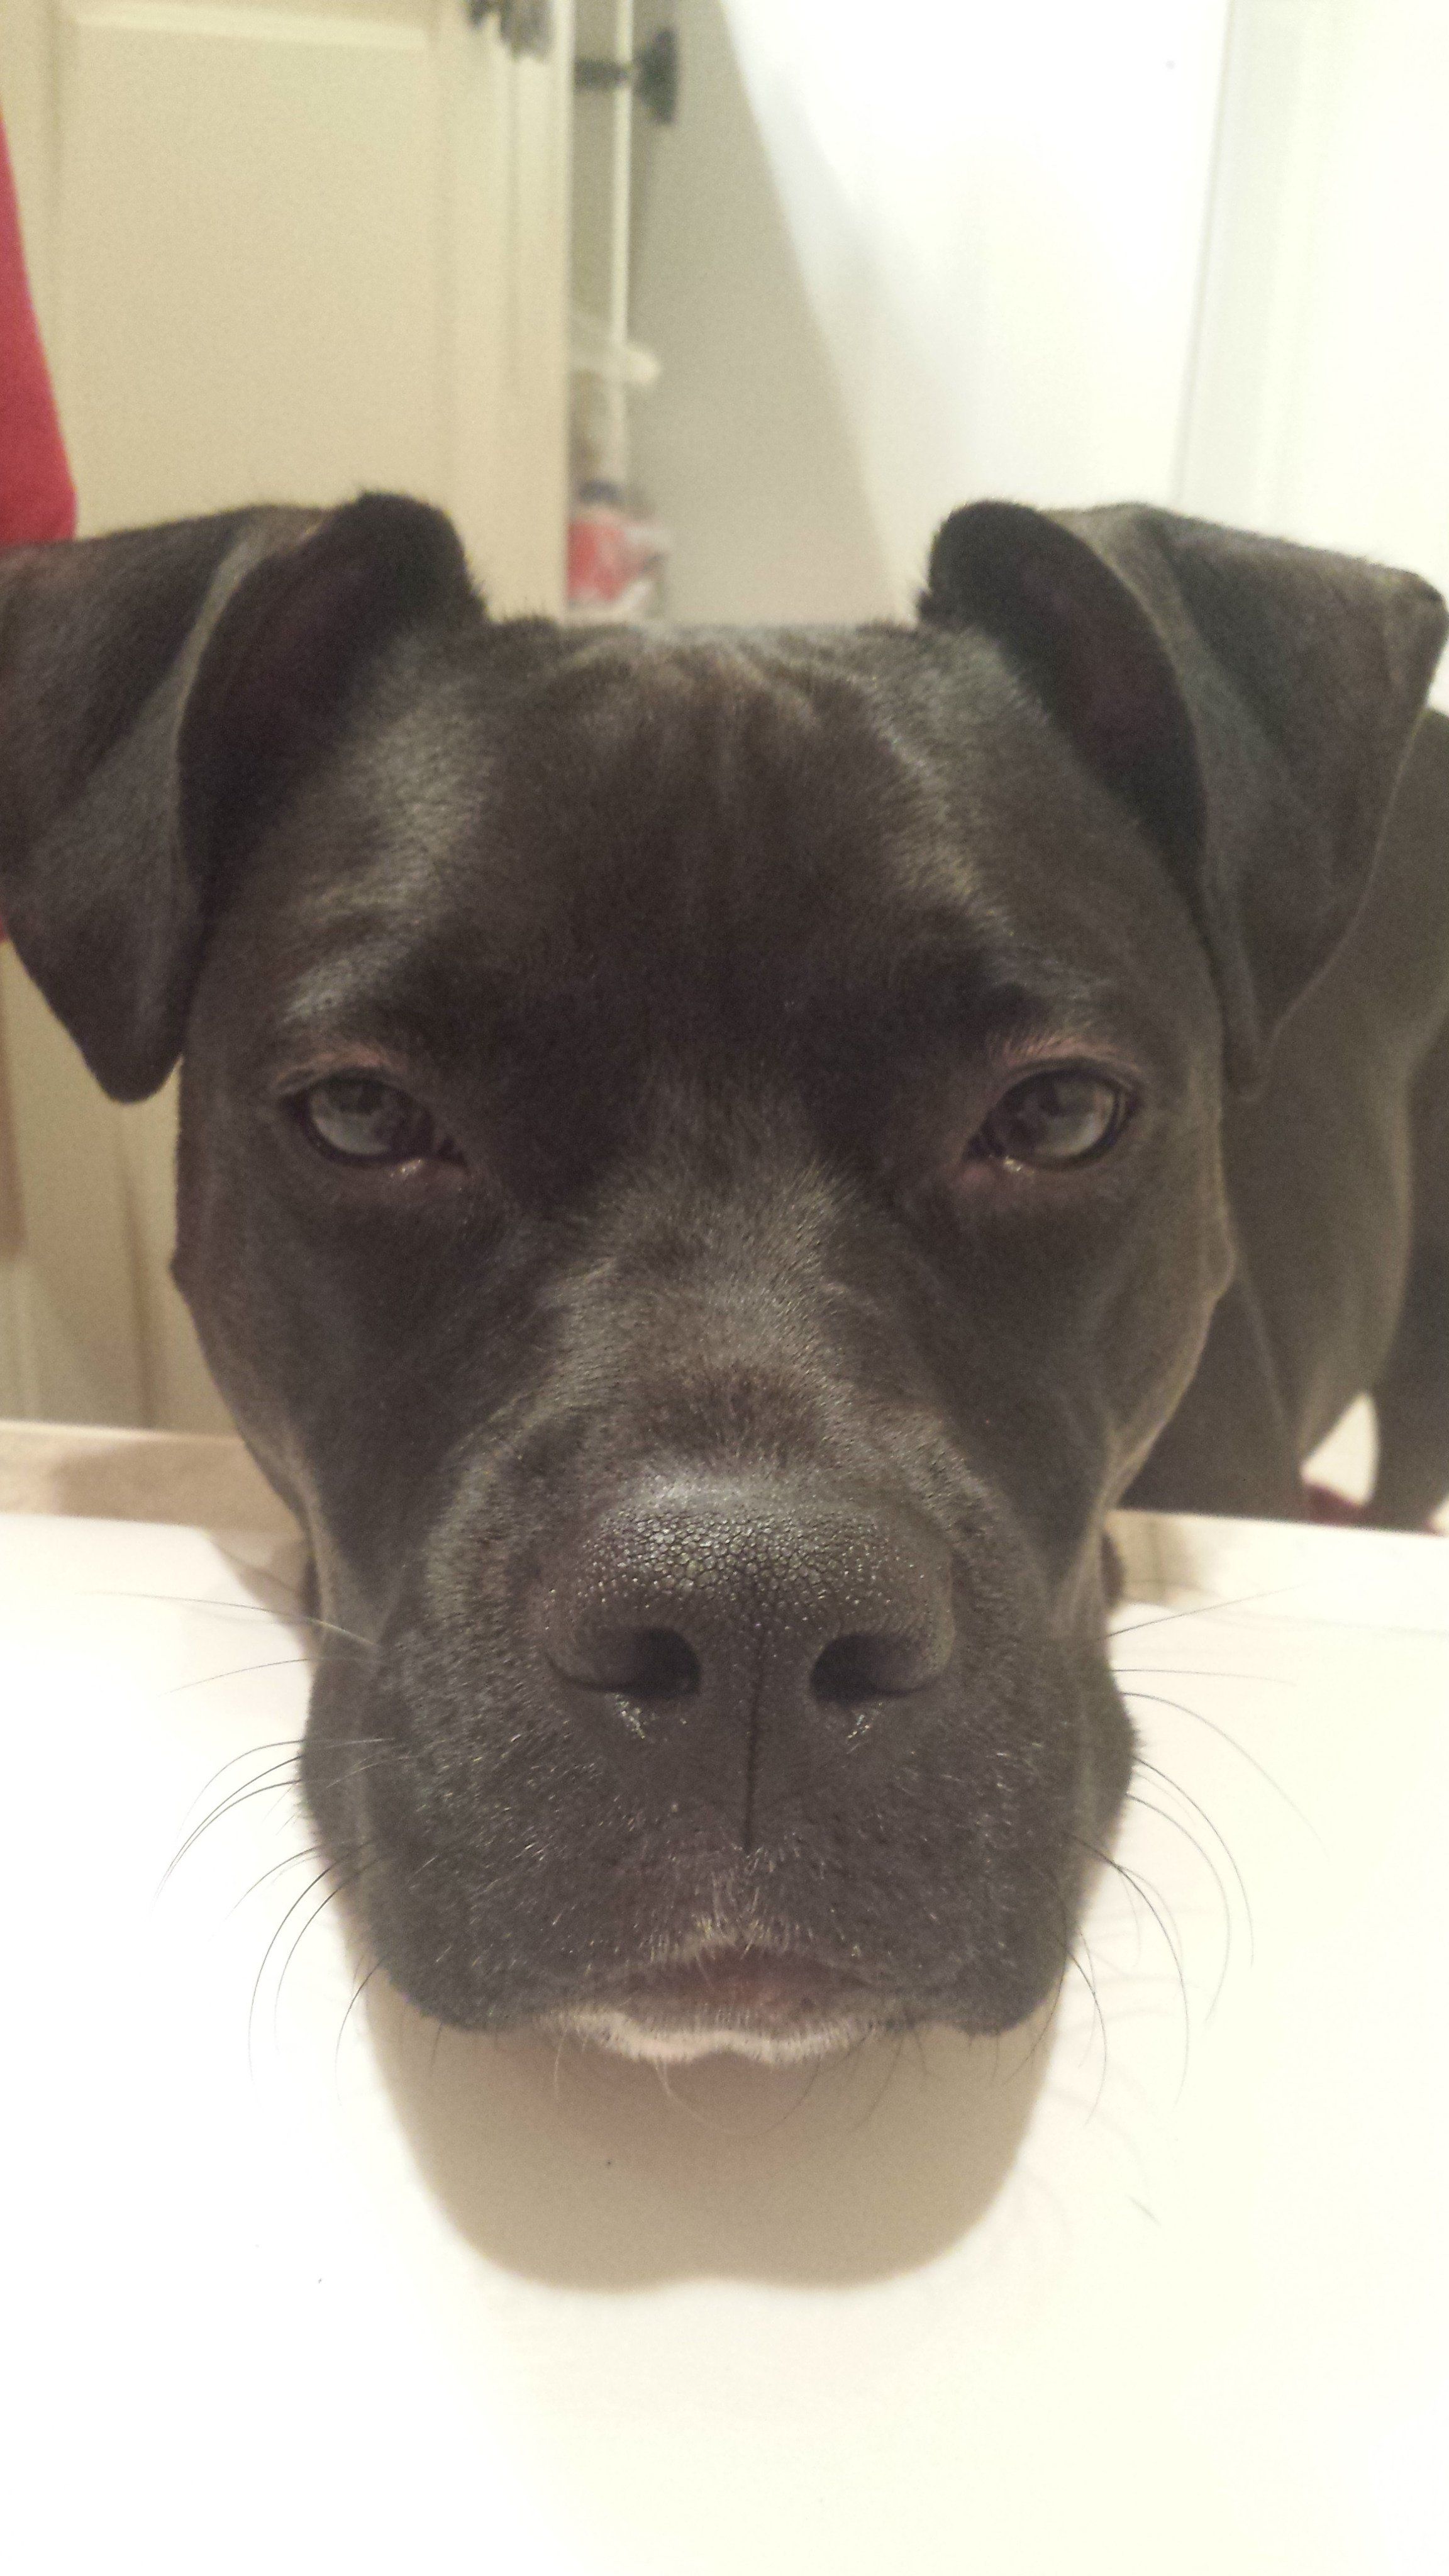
pixel 705 1173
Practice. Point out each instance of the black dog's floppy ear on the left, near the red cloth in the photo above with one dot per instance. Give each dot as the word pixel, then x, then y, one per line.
pixel 159 692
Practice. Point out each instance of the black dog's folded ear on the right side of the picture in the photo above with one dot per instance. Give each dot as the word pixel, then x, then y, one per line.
pixel 1249 699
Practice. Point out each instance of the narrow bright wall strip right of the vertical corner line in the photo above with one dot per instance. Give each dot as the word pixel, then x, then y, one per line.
pixel 1324 370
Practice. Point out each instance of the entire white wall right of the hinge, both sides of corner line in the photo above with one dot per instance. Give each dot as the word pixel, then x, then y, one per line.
pixel 1156 249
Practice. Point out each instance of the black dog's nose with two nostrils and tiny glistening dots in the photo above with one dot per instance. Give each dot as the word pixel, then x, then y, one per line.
pixel 752 1604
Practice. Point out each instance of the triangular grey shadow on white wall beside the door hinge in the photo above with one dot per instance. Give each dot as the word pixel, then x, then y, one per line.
pixel 746 447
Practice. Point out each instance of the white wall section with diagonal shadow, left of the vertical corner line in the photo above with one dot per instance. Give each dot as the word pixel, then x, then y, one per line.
pixel 904 259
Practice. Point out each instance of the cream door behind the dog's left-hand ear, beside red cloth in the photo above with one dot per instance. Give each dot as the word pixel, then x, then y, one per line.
pixel 280 251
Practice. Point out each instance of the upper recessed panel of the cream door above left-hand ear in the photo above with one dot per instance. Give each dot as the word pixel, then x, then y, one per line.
pixel 251 210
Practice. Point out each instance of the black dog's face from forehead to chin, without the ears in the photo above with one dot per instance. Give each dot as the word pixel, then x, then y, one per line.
pixel 746 1423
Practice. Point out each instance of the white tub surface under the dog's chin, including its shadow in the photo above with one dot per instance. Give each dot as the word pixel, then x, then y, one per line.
pixel 300 2289
